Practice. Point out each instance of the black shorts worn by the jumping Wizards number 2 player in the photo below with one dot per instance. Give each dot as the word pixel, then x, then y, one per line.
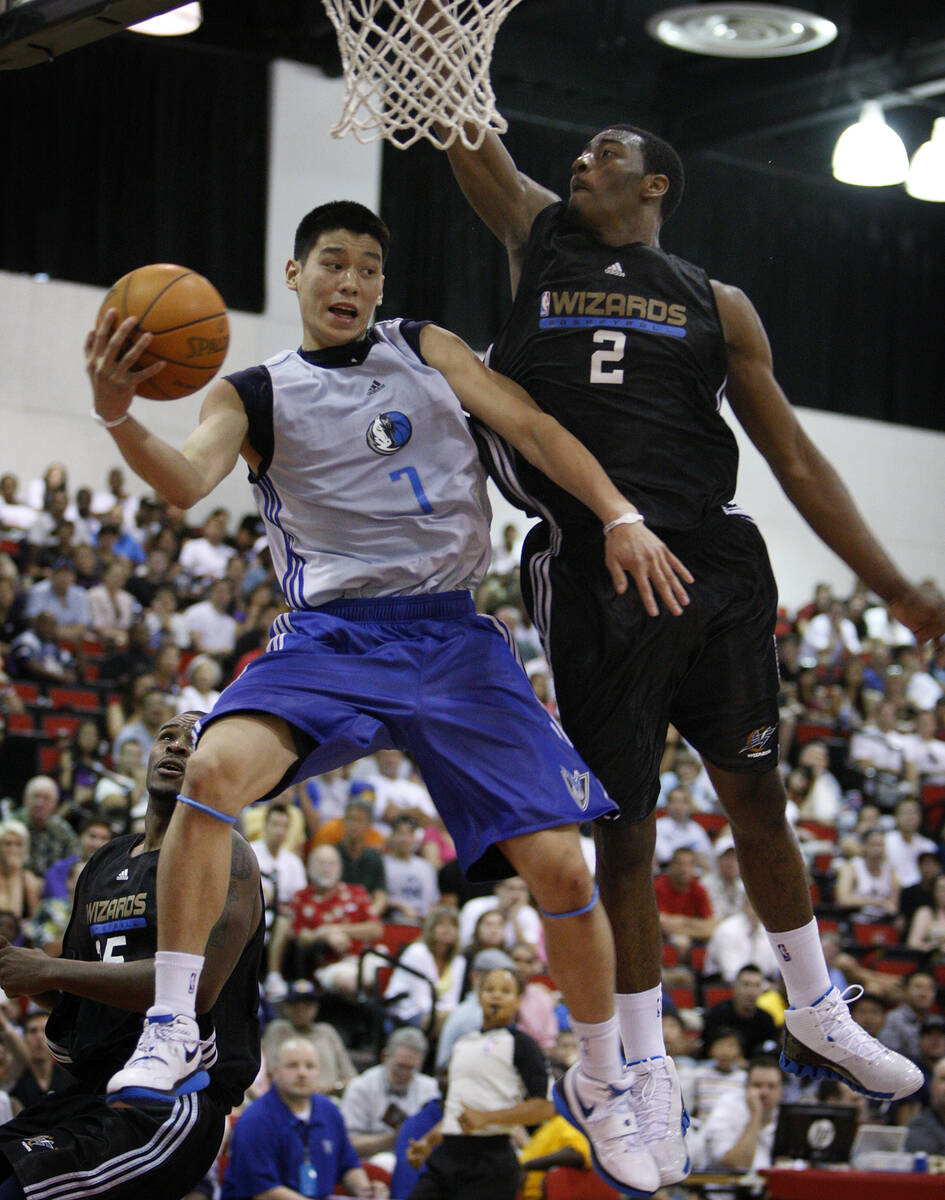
pixel 622 676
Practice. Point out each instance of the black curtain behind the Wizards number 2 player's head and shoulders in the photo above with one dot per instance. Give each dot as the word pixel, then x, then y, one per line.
pixel 850 283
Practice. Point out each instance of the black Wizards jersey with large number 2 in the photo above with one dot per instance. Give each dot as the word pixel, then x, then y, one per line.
pixel 624 346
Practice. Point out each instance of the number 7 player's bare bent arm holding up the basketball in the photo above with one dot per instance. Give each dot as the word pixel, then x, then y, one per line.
pixel 182 477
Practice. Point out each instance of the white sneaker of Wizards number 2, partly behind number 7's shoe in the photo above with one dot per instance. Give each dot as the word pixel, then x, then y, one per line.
pixel 661 1115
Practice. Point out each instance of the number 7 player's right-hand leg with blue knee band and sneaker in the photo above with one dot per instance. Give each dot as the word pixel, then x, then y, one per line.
pixel 580 946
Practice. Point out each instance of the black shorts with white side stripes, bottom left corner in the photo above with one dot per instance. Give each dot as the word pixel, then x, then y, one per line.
pixel 74 1145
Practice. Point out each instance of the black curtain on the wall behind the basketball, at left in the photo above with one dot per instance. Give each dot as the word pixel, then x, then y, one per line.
pixel 133 152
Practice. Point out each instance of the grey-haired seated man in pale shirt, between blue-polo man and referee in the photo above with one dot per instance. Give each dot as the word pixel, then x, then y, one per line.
pixel 377 1102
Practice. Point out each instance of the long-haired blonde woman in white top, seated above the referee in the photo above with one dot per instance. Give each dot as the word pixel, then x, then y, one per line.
pixel 436 957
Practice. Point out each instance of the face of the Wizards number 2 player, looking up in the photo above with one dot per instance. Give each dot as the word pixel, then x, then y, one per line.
pixel 605 178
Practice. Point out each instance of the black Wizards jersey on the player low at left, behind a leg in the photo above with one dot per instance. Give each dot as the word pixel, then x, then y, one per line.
pixel 115 920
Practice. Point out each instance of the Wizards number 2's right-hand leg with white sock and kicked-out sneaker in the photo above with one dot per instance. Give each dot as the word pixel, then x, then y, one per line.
pixel 822 1040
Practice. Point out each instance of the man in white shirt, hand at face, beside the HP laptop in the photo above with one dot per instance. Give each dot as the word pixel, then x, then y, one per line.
pixel 739 1133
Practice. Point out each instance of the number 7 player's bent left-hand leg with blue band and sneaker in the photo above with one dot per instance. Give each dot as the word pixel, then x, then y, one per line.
pixel 239 759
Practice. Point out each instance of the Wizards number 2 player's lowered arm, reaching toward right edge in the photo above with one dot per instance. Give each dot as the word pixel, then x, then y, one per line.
pixel 809 479
